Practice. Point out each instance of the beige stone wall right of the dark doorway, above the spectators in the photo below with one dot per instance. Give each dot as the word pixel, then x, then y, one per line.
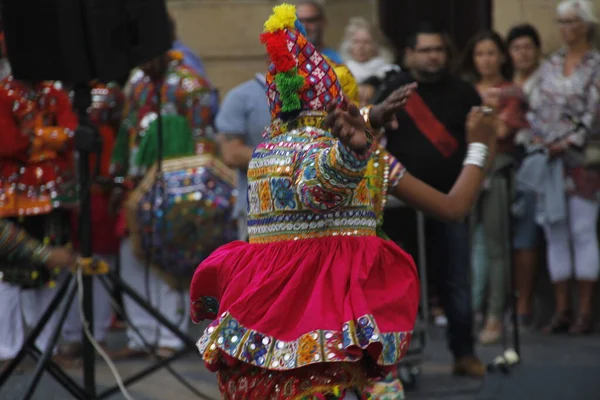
pixel 540 13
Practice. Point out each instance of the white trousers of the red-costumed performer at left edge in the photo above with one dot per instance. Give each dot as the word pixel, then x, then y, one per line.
pixel 19 308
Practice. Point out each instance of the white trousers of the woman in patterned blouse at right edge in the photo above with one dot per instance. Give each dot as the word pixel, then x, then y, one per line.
pixel 581 231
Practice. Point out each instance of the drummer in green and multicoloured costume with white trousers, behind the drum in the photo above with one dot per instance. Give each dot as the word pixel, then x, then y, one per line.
pixel 185 106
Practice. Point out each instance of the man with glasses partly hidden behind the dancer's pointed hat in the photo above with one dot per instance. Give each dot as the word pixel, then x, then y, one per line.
pixel 312 15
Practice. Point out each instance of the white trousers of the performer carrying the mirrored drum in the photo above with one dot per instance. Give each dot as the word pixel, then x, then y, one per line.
pixel 171 303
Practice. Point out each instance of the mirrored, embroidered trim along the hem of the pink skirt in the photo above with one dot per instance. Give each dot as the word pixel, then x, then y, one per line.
pixel 227 335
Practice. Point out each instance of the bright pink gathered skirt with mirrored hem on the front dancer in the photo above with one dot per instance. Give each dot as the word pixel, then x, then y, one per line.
pixel 291 304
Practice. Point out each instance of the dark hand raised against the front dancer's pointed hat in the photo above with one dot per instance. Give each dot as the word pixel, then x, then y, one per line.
pixel 348 126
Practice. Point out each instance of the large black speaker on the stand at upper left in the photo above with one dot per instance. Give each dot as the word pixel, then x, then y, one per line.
pixel 79 40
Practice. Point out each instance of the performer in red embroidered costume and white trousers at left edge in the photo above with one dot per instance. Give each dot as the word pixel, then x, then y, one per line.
pixel 37 190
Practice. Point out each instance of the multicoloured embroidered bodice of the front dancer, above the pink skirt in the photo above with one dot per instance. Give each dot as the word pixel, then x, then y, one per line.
pixel 304 183
